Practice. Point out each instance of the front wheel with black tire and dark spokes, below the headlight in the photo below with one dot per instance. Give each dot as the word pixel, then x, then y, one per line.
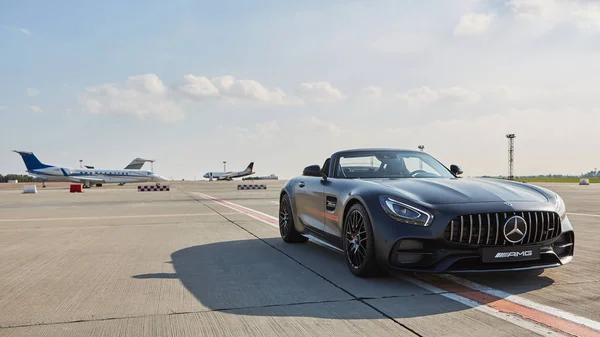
pixel 359 244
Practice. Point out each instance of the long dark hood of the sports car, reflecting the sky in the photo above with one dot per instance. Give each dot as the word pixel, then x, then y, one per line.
pixel 462 190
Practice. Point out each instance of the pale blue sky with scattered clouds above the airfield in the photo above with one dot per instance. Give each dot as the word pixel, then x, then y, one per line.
pixel 286 83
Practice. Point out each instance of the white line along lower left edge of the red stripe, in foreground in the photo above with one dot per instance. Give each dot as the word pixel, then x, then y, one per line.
pixel 511 318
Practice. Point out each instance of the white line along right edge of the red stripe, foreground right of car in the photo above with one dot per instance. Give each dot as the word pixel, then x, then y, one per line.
pixel 525 302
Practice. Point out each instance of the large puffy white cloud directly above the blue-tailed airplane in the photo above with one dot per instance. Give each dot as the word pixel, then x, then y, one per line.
pixel 141 96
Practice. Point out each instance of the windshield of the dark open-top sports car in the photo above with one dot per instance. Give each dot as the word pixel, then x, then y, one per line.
pixel 390 164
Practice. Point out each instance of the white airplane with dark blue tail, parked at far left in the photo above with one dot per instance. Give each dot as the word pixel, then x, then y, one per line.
pixel 85 176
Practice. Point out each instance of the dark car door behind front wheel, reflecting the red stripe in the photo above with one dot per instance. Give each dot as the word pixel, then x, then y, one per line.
pixel 310 202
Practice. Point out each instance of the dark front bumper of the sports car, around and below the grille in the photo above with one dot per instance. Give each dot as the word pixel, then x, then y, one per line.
pixel 424 249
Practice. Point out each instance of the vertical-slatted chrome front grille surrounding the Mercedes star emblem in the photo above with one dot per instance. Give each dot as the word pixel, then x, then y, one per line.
pixel 487 228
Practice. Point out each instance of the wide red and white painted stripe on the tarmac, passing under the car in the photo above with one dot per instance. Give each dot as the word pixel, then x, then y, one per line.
pixel 511 308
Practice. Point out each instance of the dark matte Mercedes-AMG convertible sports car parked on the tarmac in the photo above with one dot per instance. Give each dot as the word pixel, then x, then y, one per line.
pixel 404 210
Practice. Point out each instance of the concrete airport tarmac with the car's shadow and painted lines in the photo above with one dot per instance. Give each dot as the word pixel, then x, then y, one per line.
pixel 206 260
